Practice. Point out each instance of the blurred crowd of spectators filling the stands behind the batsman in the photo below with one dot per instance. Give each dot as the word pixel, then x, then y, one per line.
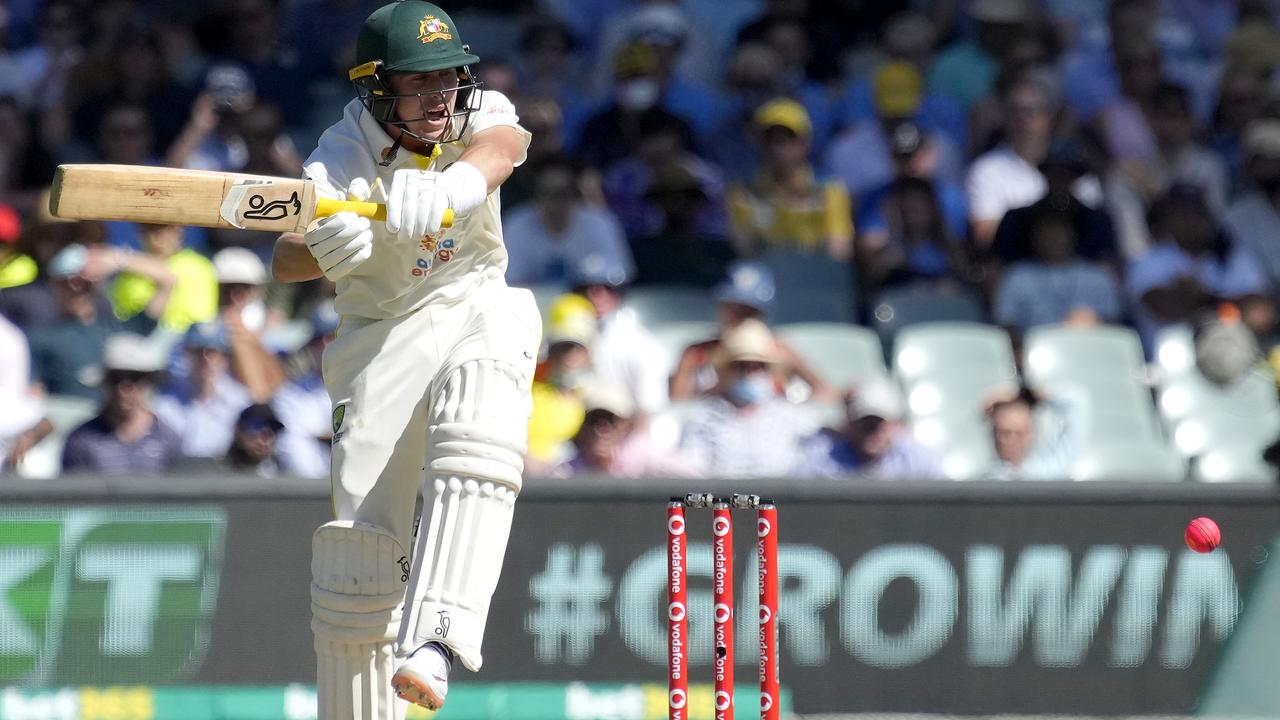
pixel 1081 165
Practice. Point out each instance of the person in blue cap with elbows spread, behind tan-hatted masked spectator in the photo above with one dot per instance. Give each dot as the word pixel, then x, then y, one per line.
pixel 746 294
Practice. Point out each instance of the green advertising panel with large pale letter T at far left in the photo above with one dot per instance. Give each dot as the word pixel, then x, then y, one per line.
pixel 107 595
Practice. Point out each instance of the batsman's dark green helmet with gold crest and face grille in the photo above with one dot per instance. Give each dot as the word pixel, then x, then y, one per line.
pixel 413 37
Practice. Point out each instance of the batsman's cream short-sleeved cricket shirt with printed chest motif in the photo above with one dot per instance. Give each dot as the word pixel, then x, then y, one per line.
pixel 403 277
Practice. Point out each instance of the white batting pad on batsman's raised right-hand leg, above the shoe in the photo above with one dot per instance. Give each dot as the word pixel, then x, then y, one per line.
pixel 476 459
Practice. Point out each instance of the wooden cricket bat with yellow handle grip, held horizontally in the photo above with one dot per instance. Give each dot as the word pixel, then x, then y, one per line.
pixel 207 199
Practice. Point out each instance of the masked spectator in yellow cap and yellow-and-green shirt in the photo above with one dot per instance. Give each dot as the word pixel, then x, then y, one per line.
pixel 788 207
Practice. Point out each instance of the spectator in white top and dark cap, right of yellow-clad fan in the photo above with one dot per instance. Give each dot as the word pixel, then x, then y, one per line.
pixel 625 354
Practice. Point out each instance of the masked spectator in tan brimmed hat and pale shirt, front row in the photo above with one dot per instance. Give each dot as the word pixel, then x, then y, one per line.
pixel 744 429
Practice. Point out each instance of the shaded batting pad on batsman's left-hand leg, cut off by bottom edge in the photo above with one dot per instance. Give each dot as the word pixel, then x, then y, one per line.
pixel 359 573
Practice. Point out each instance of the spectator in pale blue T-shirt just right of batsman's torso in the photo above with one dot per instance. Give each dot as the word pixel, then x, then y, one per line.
pixel 548 236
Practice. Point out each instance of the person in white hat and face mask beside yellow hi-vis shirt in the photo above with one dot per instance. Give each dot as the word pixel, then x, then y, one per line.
pixel 243 312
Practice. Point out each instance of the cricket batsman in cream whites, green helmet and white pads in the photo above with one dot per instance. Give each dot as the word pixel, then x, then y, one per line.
pixel 431 372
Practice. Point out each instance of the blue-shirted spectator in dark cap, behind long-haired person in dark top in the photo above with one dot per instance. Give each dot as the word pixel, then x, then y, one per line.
pixel 915 157
